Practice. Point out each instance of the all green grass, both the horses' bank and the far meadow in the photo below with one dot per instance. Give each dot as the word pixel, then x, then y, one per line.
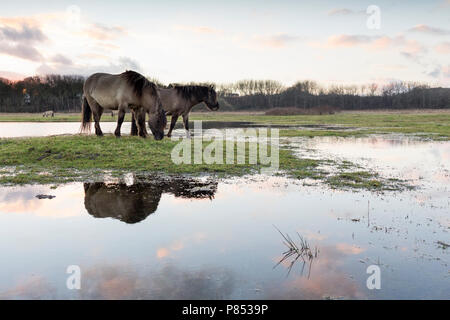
pixel 61 159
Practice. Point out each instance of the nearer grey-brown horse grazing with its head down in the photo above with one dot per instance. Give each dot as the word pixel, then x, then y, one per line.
pixel 128 90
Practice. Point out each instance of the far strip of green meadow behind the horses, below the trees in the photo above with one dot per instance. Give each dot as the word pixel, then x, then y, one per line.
pixel 431 124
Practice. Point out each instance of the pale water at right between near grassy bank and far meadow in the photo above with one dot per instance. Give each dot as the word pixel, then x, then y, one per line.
pixel 422 164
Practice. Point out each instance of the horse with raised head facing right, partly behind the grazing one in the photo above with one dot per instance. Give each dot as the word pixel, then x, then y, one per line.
pixel 178 100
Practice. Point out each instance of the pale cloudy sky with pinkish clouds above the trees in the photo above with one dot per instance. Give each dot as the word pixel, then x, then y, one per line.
pixel 345 42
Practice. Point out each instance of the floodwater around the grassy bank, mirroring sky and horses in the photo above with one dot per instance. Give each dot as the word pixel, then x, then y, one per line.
pixel 204 238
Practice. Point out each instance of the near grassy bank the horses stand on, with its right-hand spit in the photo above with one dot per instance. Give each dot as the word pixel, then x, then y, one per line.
pixel 61 159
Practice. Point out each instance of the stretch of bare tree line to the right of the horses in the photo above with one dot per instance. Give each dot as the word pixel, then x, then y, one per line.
pixel 267 94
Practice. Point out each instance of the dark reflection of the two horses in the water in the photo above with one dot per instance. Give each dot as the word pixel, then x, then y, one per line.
pixel 134 203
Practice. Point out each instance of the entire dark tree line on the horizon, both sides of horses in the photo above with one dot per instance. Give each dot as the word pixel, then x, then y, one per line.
pixel 62 93
